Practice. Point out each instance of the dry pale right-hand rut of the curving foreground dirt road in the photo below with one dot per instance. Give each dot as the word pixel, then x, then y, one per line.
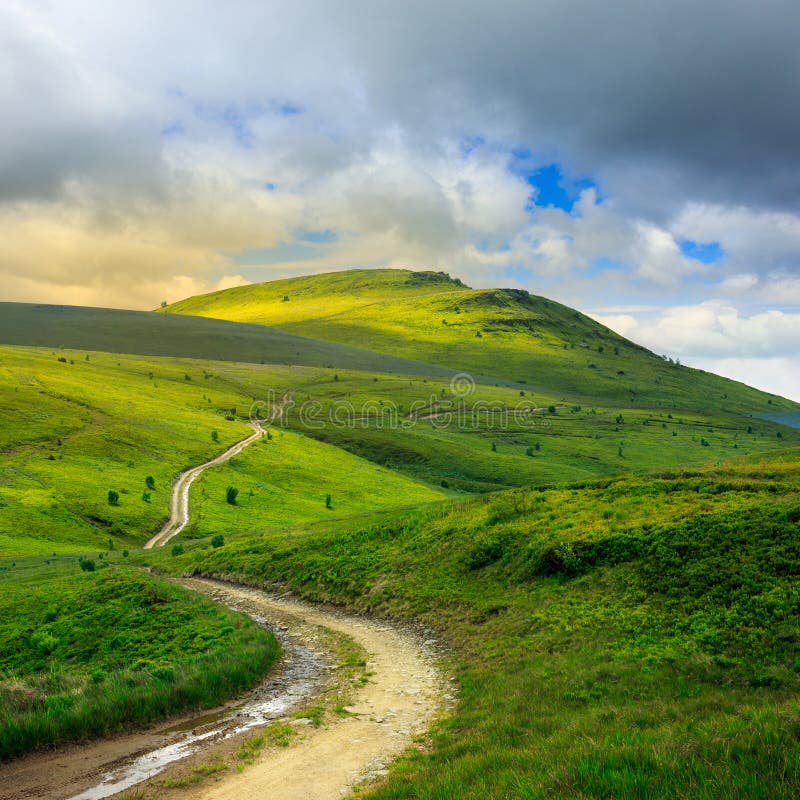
pixel 404 694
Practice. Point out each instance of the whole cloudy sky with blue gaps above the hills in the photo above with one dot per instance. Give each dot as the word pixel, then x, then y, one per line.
pixel 638 160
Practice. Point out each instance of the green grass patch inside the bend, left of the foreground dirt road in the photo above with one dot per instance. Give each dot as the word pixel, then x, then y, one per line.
pixel 85 654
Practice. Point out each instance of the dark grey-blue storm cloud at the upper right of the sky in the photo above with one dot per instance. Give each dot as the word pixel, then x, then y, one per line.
pixel 699 100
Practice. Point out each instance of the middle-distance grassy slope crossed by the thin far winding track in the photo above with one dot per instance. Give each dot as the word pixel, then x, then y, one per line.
pixel 77 425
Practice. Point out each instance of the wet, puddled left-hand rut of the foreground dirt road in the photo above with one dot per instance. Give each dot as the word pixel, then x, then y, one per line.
pixel 303 672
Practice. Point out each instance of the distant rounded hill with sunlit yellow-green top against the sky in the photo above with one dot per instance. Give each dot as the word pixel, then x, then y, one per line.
pixel 507 333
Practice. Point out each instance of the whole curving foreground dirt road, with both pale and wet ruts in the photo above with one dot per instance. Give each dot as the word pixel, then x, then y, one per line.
pixel 404 693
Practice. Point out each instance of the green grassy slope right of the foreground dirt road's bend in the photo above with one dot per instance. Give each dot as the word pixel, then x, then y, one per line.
pixel 630 638
